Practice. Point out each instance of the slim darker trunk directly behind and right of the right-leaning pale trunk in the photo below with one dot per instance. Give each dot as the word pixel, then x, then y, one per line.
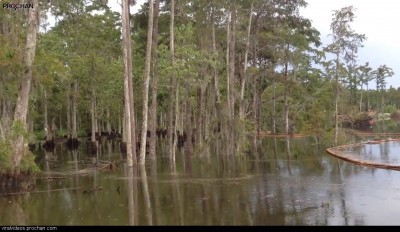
pixel 153 108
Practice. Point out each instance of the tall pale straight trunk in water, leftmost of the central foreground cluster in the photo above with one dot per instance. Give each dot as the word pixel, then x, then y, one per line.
pixel 128 91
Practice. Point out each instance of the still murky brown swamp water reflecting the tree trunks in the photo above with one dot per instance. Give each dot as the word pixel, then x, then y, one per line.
pixel 304 187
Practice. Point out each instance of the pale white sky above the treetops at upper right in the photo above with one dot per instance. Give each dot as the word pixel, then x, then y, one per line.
pixel 376 19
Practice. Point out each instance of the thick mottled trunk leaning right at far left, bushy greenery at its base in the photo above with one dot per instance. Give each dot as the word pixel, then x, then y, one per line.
pixel 21 108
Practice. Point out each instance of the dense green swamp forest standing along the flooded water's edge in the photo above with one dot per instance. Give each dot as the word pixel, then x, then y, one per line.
pixel 192 75
